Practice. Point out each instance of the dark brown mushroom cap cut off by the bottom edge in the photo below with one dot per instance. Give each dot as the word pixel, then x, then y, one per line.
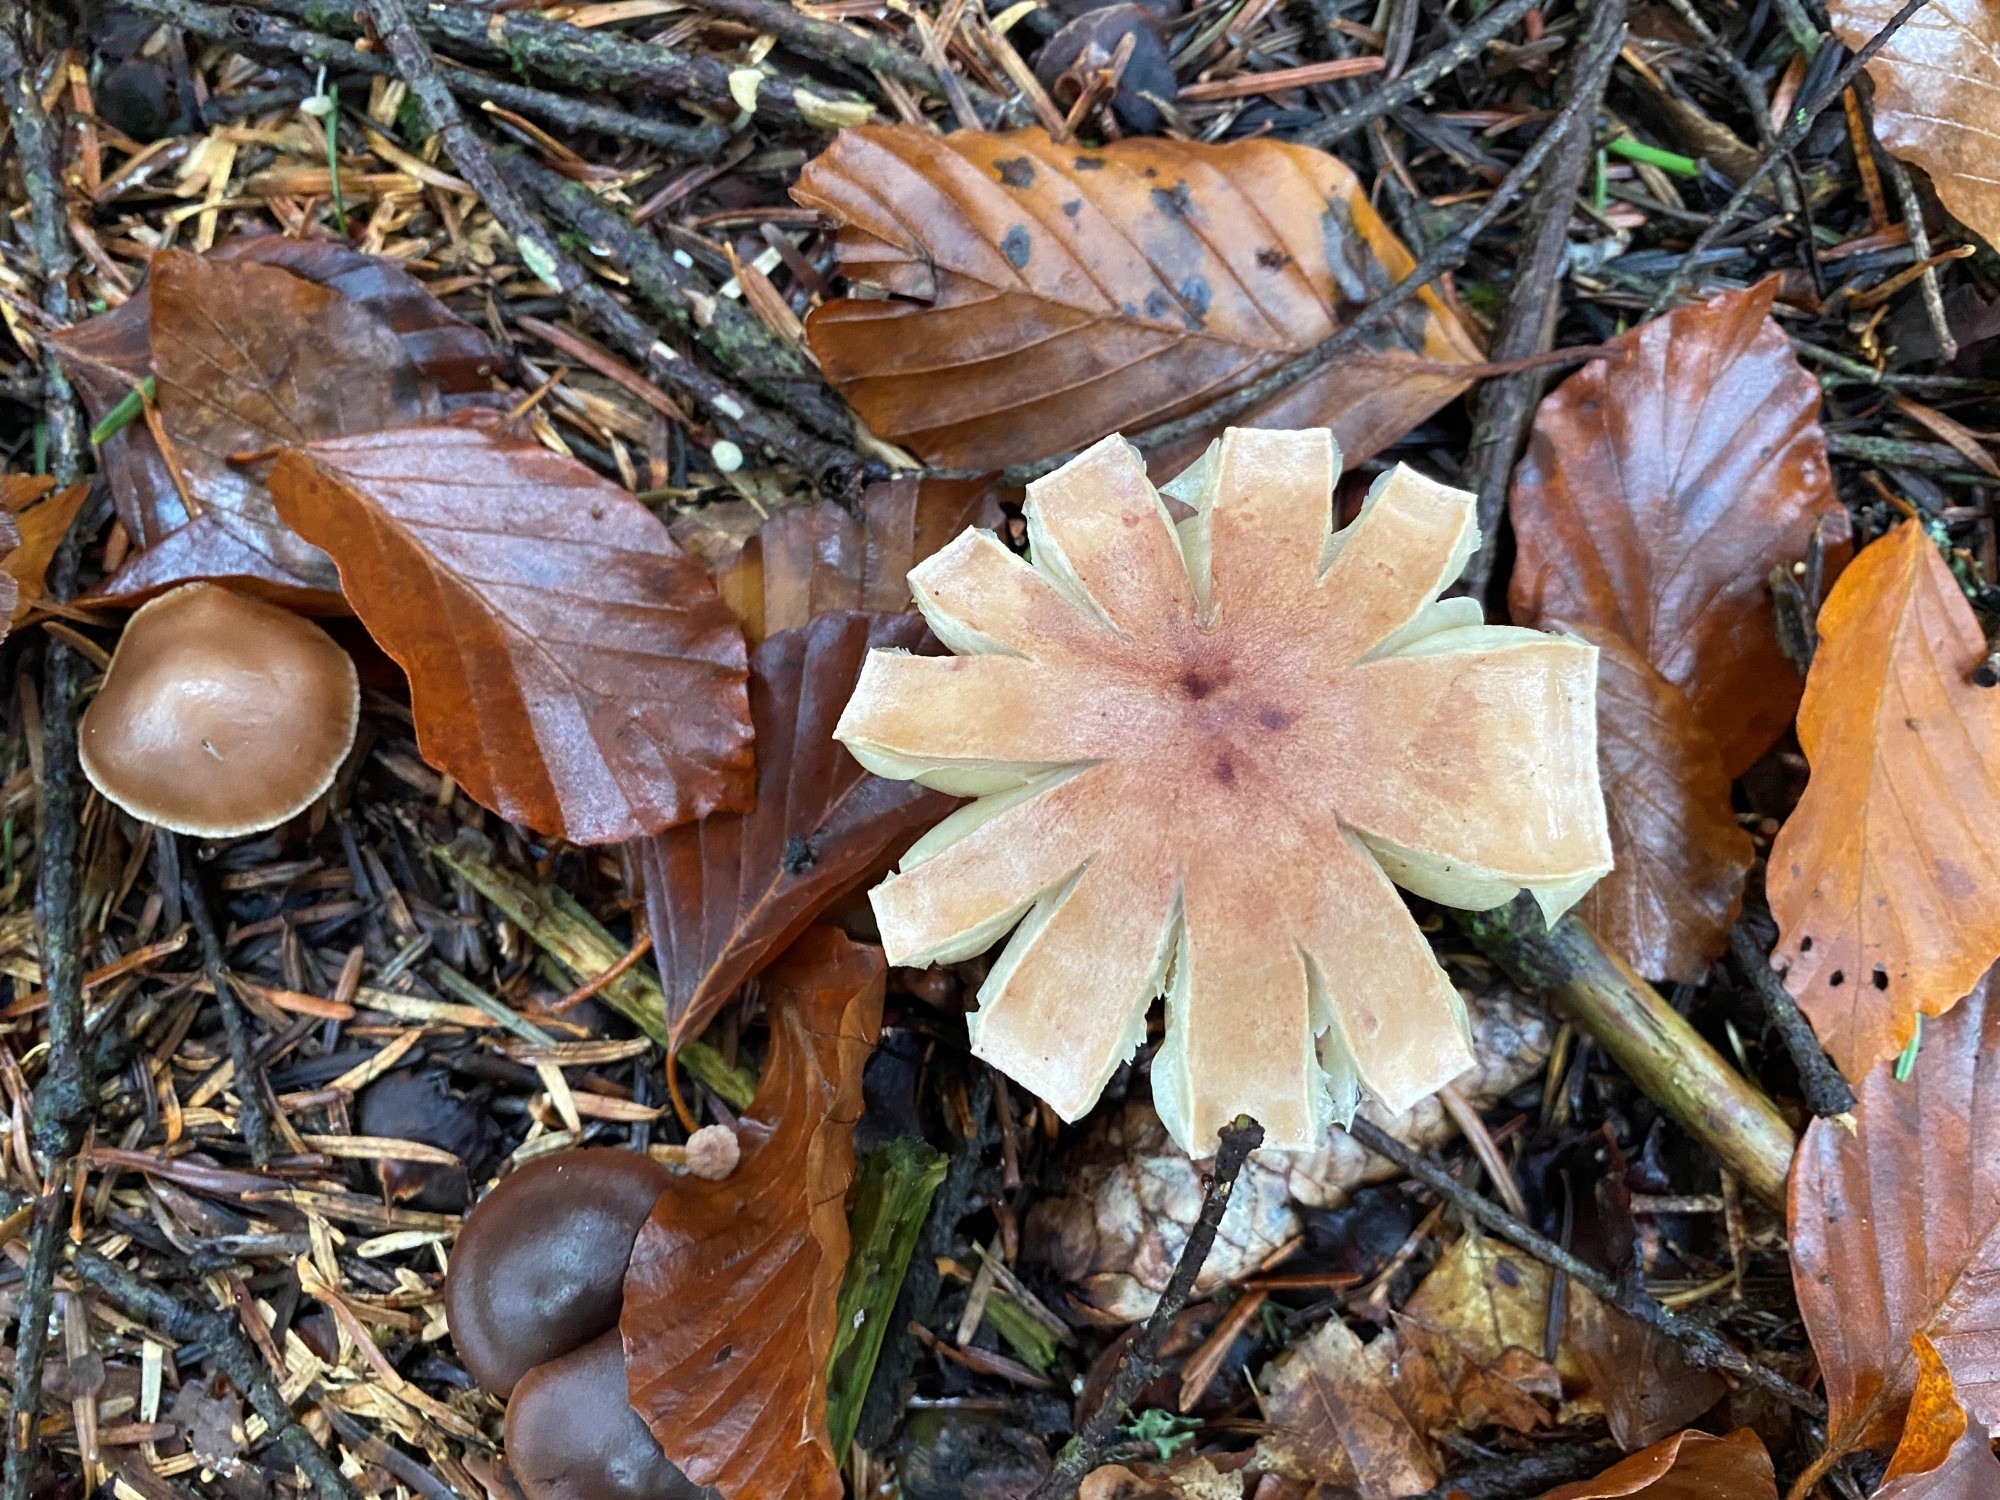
pixel 573 1435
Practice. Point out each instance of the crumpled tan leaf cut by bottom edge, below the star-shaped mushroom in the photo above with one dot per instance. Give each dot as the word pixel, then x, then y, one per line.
pixel 1341 1413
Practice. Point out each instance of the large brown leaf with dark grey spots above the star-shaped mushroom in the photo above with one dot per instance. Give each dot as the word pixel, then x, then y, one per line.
pixel 1045 297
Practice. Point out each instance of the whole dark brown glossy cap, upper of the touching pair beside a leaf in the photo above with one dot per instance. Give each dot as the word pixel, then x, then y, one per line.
pixel 539 1267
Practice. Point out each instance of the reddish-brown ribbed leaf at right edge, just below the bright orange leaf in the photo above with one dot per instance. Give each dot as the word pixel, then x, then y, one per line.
pixel 1897 1231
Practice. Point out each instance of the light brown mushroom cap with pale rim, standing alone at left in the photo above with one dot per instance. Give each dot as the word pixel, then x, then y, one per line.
pixel 221 715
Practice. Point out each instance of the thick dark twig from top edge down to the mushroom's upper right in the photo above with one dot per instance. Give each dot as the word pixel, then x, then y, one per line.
pixel 1529 325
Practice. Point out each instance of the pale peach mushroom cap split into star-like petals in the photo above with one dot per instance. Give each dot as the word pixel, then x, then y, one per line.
pixel 1201 755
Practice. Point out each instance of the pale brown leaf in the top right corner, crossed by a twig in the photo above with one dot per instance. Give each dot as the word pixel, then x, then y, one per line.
pixel 1937 81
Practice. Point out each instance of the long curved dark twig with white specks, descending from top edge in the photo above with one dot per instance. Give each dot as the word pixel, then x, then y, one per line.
pixel 735 413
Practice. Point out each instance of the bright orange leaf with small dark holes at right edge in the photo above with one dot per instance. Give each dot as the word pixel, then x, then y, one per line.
pixel 1887 877
